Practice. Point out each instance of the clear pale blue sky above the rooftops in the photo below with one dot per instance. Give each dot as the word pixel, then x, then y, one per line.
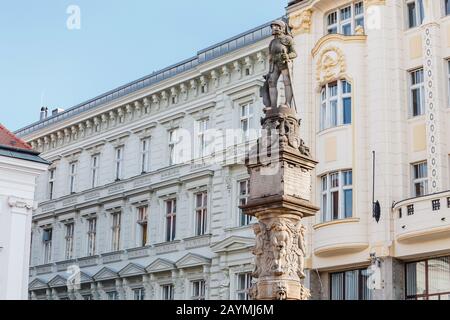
pixel 119 41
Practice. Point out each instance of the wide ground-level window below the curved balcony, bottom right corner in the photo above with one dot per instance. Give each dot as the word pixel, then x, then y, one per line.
pixel 428 280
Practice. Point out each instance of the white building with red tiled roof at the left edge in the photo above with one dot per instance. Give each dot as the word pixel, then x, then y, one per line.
pixel 19 168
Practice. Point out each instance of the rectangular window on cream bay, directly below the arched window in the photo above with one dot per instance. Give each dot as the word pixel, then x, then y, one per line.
pixel 337 196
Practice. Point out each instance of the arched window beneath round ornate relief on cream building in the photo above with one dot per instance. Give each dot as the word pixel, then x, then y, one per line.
pixel 335 104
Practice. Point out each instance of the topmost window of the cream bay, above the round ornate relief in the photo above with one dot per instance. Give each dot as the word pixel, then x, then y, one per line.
pixel 345 20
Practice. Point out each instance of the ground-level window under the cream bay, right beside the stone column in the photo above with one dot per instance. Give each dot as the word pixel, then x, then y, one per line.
pixel 350 285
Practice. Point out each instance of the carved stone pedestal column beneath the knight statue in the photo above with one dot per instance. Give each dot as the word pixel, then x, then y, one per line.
pixel 280 197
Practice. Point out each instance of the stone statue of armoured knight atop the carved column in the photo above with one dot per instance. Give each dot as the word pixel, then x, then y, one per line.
pixel 281 54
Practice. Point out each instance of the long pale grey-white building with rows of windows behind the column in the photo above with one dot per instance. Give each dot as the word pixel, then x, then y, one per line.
pixel 141 200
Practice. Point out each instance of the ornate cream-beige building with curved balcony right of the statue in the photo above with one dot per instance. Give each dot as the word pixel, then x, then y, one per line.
pixel 374 76
